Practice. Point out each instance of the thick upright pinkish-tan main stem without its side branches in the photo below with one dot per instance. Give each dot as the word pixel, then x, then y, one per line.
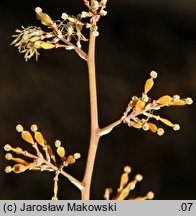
pixel 94 138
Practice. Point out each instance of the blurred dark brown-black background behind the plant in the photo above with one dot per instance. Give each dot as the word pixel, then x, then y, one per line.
pixel 135 38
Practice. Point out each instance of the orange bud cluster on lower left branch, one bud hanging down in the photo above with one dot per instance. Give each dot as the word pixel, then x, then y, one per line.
pixel 44 159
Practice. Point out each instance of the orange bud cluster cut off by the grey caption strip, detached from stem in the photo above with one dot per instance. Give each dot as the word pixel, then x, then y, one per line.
pixel 126 186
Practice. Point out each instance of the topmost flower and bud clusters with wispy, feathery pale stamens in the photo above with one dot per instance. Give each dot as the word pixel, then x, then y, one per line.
pixel 66 33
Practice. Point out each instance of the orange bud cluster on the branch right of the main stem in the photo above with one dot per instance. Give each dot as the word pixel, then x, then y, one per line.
pixel 139 111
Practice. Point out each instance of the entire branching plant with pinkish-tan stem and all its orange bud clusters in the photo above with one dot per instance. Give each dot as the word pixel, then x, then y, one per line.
pixel 70 33
